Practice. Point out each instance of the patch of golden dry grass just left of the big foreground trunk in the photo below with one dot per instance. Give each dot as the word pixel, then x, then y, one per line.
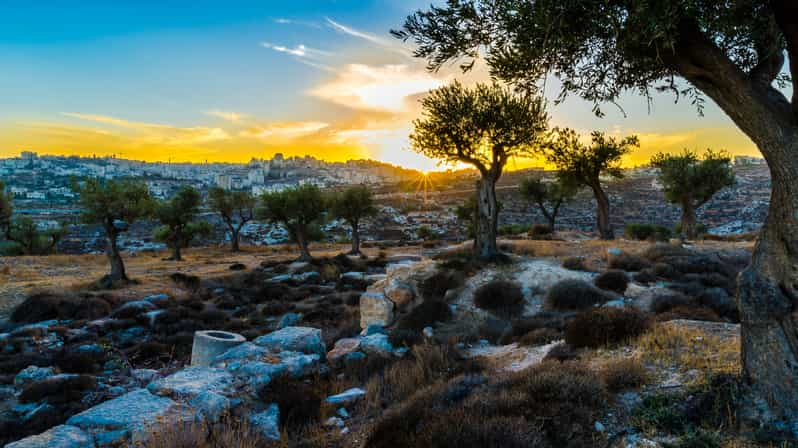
pixel 672 344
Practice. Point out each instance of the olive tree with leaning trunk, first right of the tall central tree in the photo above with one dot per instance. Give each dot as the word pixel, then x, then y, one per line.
pixel 582 164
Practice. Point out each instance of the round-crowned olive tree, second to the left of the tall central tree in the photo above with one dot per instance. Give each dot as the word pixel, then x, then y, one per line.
pixel 299 209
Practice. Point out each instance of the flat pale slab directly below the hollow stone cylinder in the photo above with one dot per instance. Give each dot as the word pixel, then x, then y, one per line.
pixel 192 381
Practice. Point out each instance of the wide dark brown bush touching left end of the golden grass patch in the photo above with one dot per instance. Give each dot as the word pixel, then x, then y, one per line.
pixel 604 326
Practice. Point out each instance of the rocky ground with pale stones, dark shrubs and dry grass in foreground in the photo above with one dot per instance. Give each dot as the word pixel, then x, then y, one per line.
pixel 627 344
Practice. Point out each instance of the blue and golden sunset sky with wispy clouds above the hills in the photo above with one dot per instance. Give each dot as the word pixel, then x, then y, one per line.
pixel 228 81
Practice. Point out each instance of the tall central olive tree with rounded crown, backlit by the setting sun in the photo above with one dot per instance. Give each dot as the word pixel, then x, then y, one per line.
pixel 484 126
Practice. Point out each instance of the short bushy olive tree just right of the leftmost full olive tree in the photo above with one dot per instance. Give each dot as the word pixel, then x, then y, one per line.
pixel 178 217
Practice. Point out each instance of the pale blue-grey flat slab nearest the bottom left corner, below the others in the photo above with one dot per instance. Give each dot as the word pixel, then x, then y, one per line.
pixel 130 411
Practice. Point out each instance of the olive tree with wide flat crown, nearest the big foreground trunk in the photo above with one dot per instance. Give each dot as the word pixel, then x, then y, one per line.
pixel 691 181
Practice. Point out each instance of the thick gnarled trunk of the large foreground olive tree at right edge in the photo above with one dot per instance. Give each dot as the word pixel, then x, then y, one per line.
pixel 768 296
